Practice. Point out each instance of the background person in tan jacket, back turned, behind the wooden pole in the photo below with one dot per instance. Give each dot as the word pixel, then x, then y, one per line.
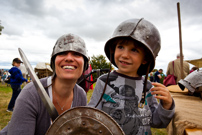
pixel 177 68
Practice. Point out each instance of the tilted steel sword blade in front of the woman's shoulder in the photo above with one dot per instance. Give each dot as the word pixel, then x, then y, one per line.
pixel 40 89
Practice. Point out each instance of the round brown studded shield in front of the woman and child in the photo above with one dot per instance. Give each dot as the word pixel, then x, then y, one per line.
pixel 84 121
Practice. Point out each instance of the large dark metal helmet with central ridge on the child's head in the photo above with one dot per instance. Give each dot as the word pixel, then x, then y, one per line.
pixel 142 31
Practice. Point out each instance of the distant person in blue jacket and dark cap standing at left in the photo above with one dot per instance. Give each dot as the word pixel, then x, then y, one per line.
pixel 16 80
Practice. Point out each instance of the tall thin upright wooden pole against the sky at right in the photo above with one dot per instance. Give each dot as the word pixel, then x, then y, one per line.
pixel 180 39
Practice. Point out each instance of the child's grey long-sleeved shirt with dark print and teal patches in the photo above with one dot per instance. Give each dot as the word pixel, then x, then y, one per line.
pixel 121 100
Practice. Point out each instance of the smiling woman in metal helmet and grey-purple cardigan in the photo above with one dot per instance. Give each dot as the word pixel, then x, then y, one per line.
pixel 68 61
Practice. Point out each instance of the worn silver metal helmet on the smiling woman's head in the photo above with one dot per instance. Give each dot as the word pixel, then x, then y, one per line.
pixel 69 42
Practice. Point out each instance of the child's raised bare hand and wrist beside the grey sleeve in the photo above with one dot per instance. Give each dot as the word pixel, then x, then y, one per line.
pixel 162 93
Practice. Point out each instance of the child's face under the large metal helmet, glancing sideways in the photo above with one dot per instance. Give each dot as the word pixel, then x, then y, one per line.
pixel 128 58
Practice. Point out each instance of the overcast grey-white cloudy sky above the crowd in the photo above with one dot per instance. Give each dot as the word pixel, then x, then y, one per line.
pixel 35 25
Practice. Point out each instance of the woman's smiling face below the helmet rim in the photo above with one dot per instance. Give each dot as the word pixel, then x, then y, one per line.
pixel 69 65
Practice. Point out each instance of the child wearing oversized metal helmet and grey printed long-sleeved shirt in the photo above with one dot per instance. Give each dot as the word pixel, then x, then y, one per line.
pixel 133 49
